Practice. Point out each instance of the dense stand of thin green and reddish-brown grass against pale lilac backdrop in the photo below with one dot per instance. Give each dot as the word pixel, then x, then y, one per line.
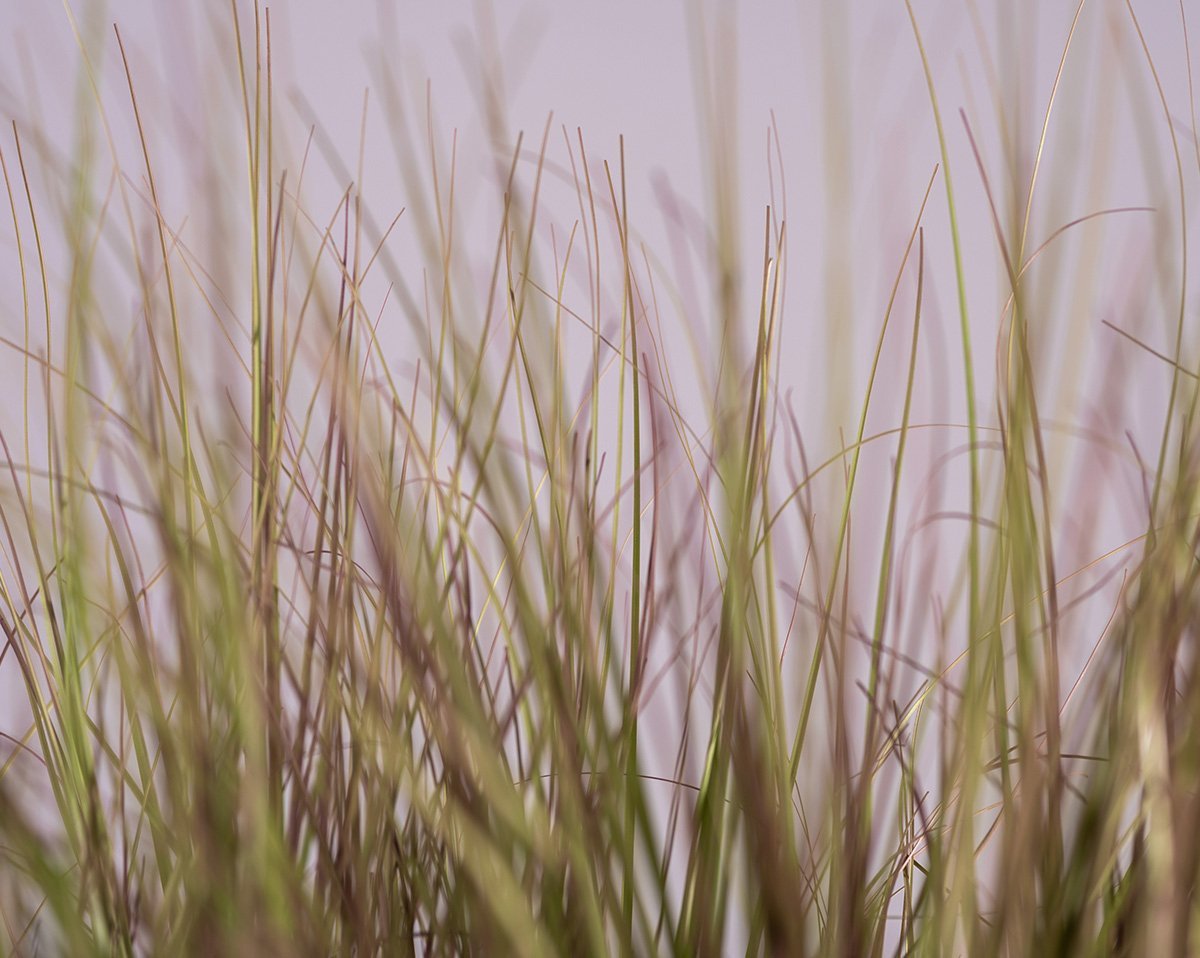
pixel 347 658
